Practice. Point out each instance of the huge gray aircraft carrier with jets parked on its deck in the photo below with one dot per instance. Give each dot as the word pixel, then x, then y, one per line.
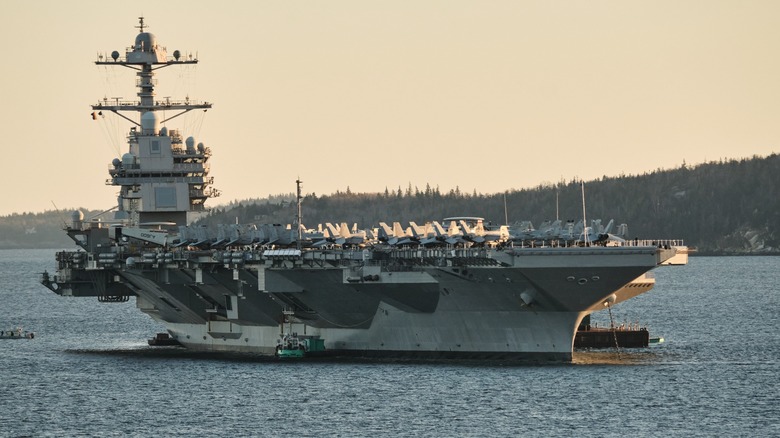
pixel 454 289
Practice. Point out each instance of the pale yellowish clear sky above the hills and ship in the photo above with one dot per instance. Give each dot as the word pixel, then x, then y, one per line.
pixel 482 96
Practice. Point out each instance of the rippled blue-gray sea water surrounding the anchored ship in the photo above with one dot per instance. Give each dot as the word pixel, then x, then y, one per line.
pixel 89 372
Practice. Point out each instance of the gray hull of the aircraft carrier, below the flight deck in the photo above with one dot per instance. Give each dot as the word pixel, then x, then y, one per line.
pixel 512 303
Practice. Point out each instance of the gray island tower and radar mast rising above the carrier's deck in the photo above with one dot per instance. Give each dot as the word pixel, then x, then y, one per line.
pixel 161 177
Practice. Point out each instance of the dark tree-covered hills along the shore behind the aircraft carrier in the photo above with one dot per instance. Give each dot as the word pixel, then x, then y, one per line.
pixel 721 207
